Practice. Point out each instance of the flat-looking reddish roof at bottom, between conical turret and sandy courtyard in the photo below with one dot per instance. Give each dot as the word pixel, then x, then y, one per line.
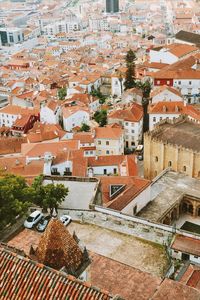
pixel 130 283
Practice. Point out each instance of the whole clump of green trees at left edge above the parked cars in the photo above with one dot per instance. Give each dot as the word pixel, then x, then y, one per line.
pixel 16 196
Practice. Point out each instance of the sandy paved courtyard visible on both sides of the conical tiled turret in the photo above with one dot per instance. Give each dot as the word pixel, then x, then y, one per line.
pixel 129 250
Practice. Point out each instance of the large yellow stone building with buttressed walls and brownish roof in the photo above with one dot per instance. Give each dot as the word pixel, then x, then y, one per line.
pixel 161 150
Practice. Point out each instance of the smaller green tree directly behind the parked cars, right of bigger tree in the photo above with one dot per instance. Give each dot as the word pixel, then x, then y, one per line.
pixel 50 195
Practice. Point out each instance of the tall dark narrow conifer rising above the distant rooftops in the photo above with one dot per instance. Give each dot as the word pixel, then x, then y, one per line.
pixel 130 72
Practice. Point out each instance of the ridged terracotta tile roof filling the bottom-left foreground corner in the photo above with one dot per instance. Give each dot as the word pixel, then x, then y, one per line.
pixel 22 278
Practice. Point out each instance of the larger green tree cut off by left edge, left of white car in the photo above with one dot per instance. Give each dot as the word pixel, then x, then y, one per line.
pixel 15 198
